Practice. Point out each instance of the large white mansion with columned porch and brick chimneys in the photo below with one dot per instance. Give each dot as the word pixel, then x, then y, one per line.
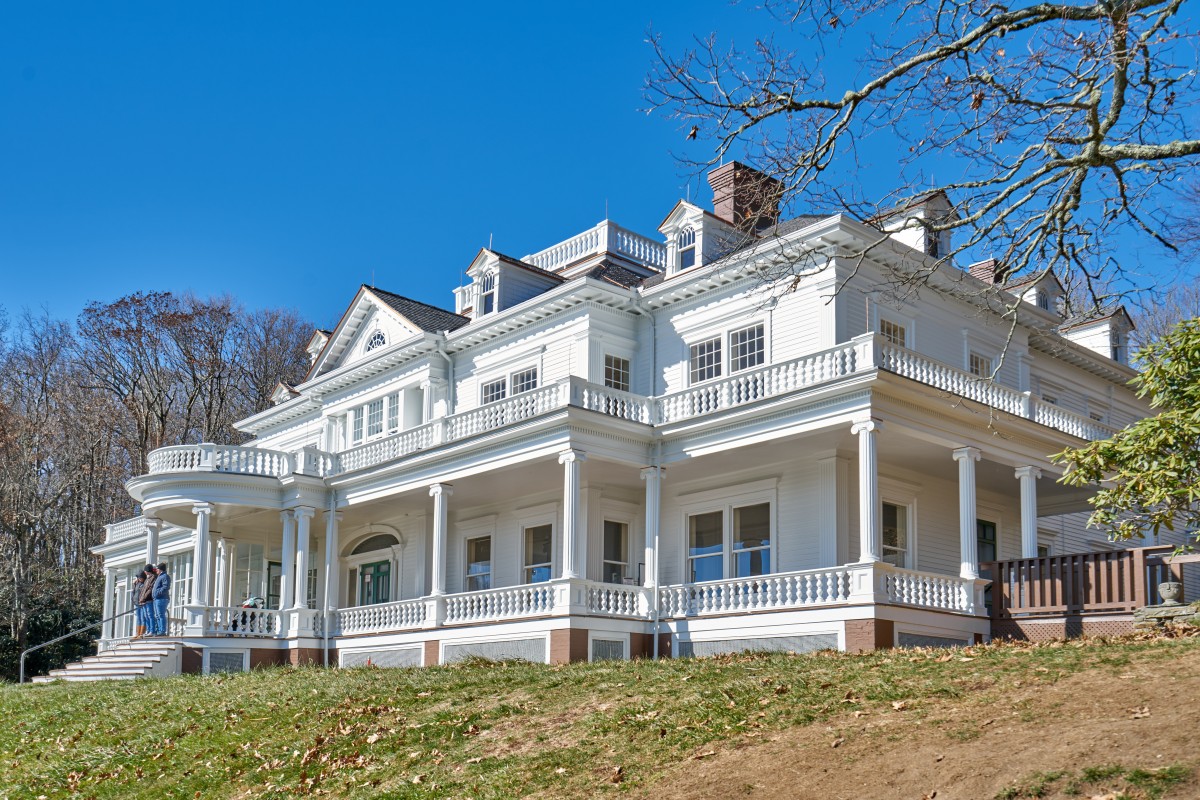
pixel 627 446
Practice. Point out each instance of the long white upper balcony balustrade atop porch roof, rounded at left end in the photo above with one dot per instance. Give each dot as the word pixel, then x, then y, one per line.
pixel 859 359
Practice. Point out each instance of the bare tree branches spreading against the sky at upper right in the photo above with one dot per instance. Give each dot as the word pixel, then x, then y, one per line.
pixel 1063 125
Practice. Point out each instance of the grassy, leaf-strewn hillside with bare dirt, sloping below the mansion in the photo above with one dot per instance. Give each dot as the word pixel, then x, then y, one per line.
pixel 995 721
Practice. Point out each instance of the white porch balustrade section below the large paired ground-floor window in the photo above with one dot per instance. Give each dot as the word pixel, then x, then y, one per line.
pixel 760 593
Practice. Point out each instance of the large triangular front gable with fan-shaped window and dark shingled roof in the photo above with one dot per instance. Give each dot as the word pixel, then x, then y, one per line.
pixel 376 321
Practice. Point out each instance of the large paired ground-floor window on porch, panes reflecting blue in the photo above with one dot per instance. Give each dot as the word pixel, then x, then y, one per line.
pixel 746 542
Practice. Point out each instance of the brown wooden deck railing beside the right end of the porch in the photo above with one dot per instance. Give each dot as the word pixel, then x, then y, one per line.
pixel 1083 584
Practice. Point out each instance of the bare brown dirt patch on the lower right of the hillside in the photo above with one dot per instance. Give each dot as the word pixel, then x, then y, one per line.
pixel 1137 715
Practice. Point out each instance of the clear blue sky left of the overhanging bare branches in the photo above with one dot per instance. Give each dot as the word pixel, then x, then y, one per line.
pixel 286 153
